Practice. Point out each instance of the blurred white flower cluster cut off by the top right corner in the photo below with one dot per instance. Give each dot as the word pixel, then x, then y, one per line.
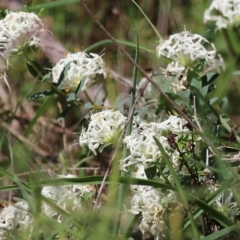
pixel 226 13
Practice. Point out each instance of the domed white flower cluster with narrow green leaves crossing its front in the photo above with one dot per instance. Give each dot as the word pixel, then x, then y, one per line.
pixel 81 65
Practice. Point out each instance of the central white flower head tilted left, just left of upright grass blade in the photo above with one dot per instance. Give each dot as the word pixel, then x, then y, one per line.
pixel 103 129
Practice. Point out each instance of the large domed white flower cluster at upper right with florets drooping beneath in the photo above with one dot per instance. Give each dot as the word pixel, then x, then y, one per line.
pixel 187 51
